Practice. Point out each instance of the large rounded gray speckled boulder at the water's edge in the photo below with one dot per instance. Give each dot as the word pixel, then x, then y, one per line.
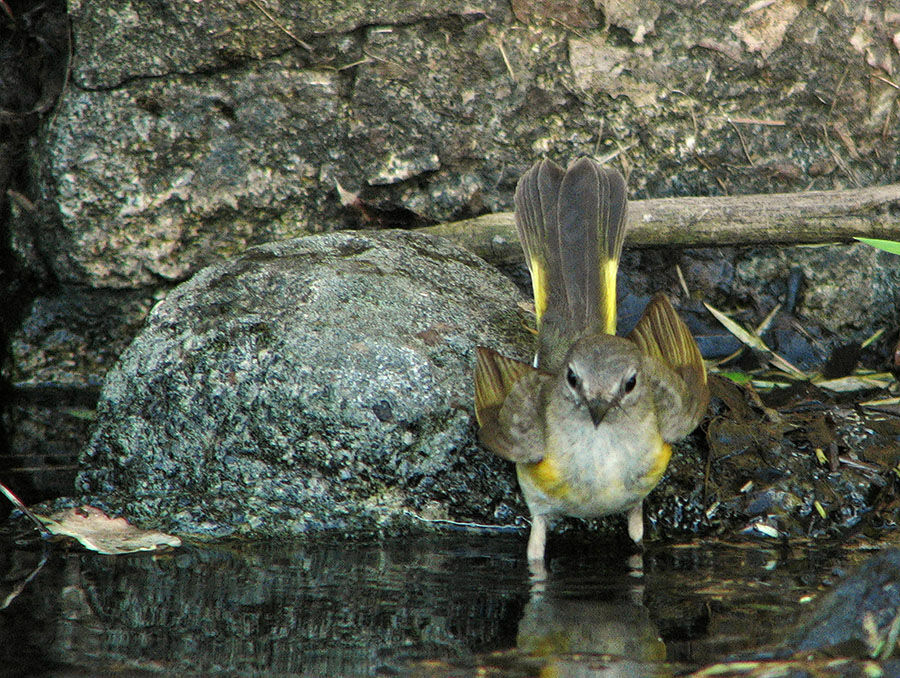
pixel 318 383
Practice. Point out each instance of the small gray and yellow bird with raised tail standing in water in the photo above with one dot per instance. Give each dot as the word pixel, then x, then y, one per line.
pixel 590 423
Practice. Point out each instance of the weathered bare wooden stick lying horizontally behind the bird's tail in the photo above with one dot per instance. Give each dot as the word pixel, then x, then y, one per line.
pixel 777 218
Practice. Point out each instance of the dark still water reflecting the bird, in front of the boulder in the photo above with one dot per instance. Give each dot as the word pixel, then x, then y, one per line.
pixel 461 604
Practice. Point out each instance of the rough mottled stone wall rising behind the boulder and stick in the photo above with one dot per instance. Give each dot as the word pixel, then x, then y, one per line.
pixel 188 131
